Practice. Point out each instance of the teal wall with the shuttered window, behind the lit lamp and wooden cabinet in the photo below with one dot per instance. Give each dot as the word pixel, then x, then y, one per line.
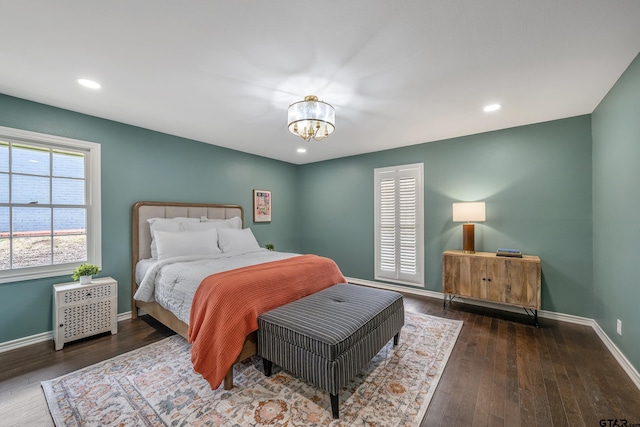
pixel 535 180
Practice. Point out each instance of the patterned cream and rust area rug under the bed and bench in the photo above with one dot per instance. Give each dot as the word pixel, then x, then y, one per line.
pixel 156 386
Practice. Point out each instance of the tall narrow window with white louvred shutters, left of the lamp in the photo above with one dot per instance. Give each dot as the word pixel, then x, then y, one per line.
pixel 399 247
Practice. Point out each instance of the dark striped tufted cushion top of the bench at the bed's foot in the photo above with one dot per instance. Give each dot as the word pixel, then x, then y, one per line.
pixel 331 321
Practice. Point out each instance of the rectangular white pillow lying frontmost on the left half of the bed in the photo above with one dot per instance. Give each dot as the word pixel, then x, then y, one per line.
pixel 184 243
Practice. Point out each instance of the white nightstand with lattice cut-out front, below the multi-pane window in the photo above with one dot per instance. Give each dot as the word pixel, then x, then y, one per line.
pixel 83 310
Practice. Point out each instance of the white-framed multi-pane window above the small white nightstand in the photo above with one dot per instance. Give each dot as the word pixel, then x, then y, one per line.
pixel 49 205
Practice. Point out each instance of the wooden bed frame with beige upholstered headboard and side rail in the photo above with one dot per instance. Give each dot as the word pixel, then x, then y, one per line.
pixel 141 242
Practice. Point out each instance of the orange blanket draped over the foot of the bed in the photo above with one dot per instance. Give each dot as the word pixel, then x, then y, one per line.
pixel 226 306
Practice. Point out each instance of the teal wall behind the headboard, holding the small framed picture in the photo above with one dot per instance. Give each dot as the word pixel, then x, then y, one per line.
pixel 138 164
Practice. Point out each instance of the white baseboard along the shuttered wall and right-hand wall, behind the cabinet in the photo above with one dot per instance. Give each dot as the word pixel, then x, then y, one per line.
pixel 613 349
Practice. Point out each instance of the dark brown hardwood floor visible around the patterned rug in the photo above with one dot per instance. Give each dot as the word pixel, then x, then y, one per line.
pixel 503 371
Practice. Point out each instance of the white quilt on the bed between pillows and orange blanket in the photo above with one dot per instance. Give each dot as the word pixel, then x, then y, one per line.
pixel 173 282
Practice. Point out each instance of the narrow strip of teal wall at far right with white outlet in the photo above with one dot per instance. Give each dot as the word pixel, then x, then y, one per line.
pixel 616 203
